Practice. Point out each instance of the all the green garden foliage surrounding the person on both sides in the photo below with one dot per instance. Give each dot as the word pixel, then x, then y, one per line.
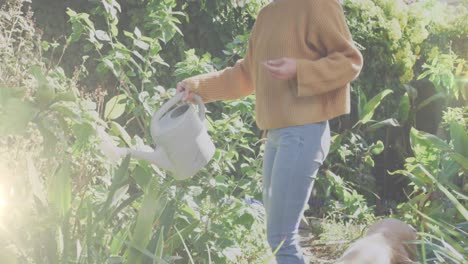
pixel 68 203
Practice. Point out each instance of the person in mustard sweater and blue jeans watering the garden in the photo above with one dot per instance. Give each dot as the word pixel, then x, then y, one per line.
pixel 299 62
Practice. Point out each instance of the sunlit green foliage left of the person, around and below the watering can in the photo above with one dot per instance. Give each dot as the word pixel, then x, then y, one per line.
pixel 92 213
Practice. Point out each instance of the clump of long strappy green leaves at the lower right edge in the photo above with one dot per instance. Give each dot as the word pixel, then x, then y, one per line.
pixel 437 204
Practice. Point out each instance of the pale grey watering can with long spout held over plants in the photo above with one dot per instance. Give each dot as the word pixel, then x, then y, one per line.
pixel 183 143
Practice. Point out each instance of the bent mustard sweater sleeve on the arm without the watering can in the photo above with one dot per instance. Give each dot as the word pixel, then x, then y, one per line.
pixel 341 61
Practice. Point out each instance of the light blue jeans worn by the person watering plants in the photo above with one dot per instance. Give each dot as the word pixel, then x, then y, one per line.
pixel 292 158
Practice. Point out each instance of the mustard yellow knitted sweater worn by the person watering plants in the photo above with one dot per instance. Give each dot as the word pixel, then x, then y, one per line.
pixel 314 32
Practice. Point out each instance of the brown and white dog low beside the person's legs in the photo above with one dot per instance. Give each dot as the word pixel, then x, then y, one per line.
pixel 386 242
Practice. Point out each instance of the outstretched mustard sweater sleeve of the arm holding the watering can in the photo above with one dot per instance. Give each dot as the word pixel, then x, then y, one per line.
pixel 228 84
